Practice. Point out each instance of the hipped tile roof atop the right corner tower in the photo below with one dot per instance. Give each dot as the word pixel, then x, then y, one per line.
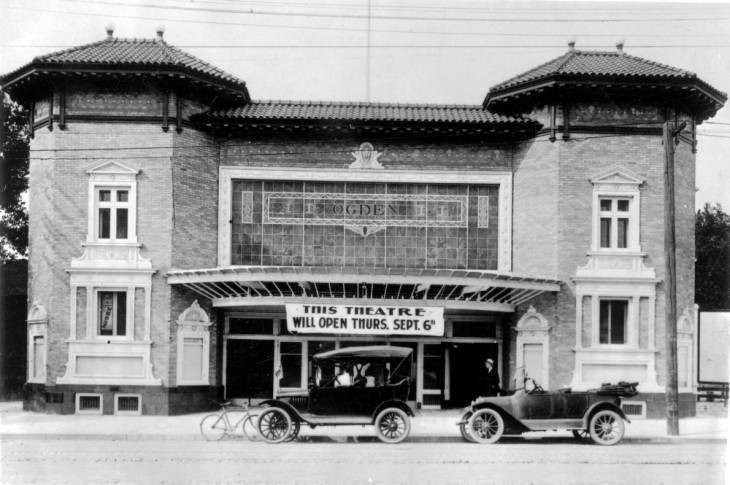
pixel 597 63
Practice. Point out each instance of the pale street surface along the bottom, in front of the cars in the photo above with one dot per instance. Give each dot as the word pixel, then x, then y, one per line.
pixel 512 461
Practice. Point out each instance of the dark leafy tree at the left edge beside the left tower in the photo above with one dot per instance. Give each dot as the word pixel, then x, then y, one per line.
pixel 14 139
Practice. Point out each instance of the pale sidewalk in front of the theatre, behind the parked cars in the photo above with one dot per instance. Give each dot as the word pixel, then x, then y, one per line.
pixel 427 425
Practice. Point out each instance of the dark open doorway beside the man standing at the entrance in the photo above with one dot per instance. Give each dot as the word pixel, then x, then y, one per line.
pixel 466 364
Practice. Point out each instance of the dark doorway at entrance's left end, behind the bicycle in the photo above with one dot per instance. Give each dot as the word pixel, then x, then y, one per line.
pixel 249 369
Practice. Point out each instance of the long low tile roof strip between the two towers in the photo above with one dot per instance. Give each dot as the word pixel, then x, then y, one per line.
pixel 364 112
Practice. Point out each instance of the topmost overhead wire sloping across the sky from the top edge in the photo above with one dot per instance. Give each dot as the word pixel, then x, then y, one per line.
pixel 403 17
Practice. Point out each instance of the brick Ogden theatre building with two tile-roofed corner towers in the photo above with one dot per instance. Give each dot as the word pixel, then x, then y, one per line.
pixel 187 241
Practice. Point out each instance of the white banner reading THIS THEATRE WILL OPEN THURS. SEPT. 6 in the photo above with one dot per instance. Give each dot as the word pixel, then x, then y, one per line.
pixel 365 319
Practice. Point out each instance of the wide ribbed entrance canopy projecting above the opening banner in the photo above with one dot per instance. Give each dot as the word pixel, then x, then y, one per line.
pixel 276 285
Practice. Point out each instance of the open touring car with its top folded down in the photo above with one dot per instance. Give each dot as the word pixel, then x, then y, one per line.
pixel 594 414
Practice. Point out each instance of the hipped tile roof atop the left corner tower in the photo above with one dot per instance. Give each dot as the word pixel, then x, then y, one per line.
pixel 131 53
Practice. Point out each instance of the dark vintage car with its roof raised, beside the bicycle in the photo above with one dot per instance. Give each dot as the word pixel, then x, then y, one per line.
pixel 351 386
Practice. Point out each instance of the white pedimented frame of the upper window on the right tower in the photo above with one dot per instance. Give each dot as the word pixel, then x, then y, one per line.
pixel 617 184
